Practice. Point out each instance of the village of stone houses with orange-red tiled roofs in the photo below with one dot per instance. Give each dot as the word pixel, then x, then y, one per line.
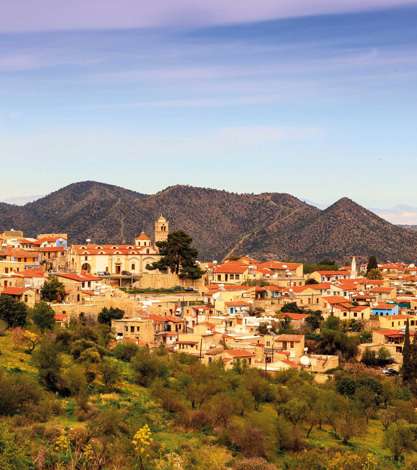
pixel 241 311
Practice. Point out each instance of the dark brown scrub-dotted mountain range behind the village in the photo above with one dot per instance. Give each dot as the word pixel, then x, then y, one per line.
pixel 263 225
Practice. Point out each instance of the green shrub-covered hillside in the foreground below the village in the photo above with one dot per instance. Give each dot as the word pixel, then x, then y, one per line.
pixel 61 410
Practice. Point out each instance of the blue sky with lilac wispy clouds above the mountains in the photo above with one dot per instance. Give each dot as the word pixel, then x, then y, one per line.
pixel 317 99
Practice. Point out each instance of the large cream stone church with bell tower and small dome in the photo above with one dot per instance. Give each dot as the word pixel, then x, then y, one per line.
pixel 119 260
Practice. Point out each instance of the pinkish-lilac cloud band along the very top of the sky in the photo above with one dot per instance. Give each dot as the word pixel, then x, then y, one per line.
pixel 30 15
